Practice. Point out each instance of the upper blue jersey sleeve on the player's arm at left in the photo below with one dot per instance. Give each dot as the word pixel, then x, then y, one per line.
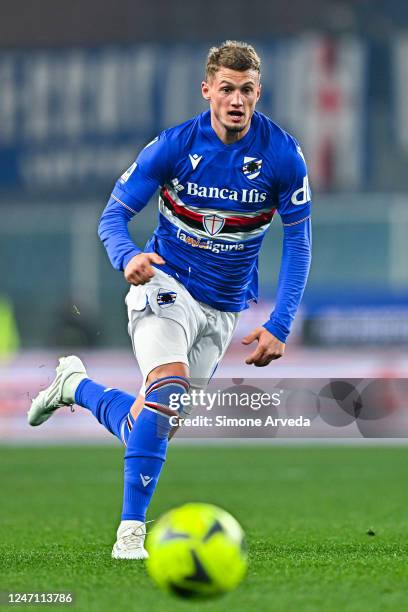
pixel 150 170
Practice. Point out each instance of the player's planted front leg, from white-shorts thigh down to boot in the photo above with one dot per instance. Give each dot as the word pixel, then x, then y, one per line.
pixel 161 346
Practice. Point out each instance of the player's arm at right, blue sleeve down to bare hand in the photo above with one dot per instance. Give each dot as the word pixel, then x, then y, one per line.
pixel 294 209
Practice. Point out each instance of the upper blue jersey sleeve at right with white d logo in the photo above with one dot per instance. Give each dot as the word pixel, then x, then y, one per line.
pixel 294 197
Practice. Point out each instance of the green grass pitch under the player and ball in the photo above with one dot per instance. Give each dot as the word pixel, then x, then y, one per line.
pixel 307 513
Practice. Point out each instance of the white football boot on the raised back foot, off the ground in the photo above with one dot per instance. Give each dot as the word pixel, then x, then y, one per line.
pixel 61 391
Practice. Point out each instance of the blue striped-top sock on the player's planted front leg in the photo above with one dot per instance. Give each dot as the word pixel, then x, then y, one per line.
pixel 147 445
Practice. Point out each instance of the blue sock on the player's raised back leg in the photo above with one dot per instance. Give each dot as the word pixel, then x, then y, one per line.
pixel 110 406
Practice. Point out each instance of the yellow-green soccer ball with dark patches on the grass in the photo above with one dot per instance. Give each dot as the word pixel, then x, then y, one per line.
pixel 197 551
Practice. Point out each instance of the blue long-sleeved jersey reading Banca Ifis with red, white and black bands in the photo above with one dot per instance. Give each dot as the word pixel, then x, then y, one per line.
pixel 216 203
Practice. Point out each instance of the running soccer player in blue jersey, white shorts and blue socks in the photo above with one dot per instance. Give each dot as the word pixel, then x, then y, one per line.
pixel 222 175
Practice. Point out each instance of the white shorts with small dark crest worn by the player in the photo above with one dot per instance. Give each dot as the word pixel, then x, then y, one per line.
pixel 167 325
